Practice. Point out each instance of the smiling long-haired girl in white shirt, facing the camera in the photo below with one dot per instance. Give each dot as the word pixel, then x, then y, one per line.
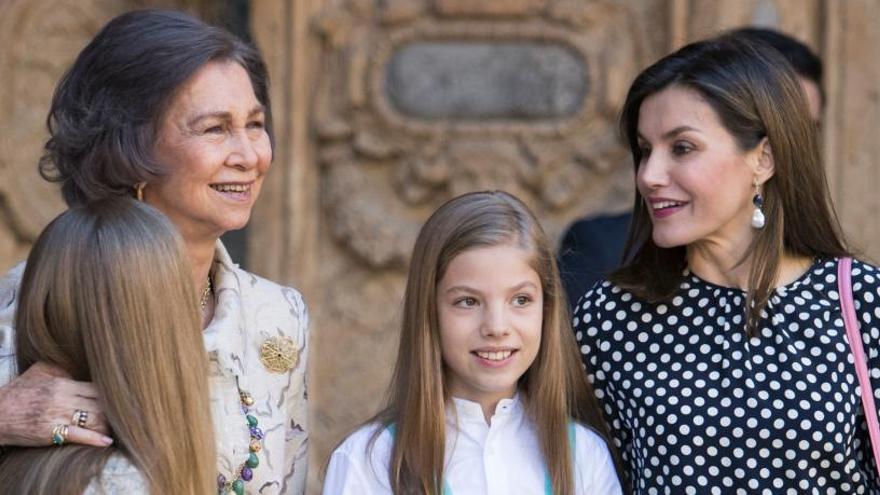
pixel 488 395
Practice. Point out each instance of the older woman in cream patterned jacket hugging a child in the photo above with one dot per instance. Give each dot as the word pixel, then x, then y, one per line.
pixel 175 112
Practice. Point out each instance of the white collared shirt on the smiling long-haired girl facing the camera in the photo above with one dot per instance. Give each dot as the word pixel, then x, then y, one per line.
pixel 500 458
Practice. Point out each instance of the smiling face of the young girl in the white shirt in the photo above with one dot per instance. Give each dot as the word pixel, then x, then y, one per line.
pixel 490 309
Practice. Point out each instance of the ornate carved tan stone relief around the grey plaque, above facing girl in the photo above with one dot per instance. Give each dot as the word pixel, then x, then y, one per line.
pixel 386 163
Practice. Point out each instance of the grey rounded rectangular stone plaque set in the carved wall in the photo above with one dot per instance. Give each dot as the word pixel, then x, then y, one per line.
pixel 478 80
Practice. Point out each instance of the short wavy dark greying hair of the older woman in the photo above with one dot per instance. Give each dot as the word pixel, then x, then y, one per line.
pixel 104 117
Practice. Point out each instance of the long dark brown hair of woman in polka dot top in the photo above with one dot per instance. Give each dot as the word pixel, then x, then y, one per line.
pixel 755 94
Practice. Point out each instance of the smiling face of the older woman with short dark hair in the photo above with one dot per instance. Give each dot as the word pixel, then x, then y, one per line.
pixel 213 140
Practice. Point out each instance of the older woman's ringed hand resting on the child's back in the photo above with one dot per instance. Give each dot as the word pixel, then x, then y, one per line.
pixel 43 397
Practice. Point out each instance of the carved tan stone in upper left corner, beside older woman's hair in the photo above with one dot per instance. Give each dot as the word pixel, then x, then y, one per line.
pixel 40 39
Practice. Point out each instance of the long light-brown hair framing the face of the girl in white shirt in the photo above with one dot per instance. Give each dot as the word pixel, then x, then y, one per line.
pixel 554 388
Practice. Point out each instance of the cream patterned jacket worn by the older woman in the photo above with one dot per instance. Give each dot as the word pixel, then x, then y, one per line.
pixel 249 310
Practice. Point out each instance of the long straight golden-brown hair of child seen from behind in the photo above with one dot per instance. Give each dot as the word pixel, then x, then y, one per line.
pixel 107 296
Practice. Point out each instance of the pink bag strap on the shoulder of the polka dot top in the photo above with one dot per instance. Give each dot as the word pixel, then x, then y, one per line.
pixel 844 285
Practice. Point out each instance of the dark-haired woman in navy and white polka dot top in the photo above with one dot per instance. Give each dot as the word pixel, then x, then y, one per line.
pixel 719 351
